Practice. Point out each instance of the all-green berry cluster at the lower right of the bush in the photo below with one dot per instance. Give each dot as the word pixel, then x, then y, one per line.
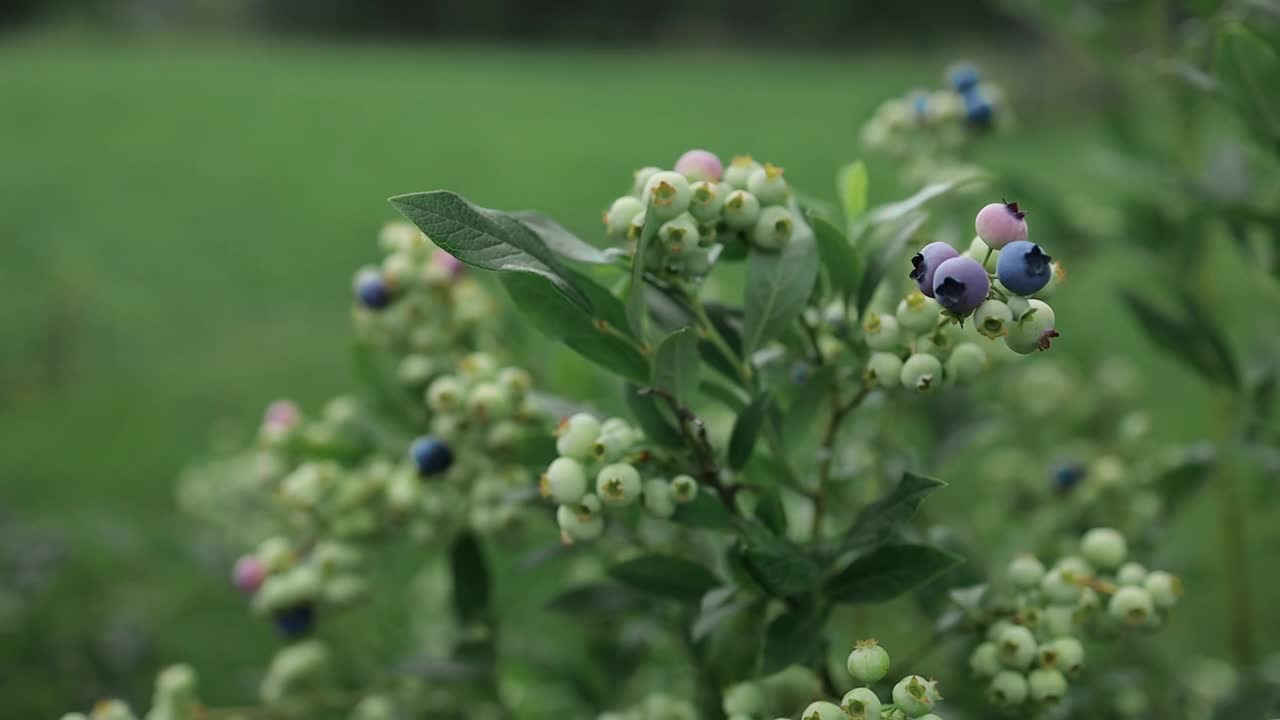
pixel 1035 648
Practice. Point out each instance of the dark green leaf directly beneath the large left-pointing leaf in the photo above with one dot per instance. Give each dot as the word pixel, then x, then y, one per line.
pixel 565 322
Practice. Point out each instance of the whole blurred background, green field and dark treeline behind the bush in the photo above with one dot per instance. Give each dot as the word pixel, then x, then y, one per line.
pixel 188 188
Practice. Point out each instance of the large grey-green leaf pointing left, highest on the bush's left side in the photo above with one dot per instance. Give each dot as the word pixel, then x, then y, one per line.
pixel 487 239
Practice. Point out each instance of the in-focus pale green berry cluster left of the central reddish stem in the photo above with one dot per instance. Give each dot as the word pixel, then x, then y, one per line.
pixel 600 467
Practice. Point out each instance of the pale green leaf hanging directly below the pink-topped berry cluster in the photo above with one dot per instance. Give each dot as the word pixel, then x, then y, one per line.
pixel 778 289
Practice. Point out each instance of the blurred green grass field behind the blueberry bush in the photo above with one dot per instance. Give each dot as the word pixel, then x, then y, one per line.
pixel 181 220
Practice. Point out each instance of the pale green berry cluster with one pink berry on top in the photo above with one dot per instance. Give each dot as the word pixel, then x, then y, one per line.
pixel 705 208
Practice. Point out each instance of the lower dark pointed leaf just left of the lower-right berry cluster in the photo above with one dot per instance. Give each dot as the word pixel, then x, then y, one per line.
pixel 888 572
